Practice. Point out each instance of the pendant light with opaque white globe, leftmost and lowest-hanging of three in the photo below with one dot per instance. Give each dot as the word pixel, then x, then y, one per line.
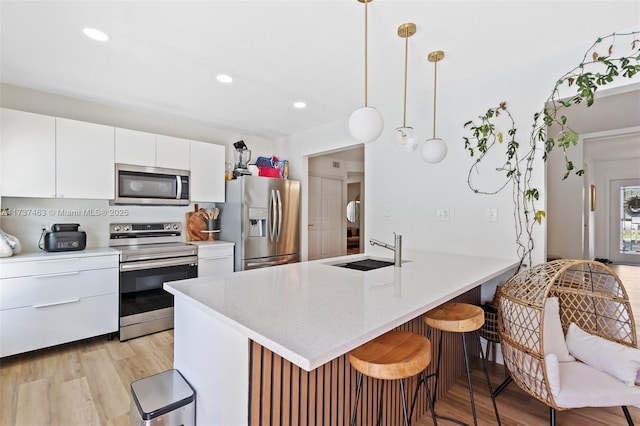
pixel 366 123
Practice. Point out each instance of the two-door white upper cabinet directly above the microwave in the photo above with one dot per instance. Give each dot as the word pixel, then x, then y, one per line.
pixel 148 149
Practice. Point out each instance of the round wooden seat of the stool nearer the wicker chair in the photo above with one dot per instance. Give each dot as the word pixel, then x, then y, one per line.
pixel 455 317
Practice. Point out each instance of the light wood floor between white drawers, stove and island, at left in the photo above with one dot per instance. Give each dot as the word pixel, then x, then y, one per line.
pixel 83 383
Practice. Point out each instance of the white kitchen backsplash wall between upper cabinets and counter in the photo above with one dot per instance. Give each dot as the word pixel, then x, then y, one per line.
pixel 27 217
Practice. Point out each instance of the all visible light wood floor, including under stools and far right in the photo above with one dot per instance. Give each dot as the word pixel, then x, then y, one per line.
pixel 87 383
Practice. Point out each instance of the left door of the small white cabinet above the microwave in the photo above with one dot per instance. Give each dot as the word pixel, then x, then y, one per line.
pixel 135 147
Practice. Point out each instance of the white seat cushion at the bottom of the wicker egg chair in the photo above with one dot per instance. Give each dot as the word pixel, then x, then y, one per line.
pixel 584 386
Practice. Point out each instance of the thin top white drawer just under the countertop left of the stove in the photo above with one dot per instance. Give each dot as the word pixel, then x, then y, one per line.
pixel 57 265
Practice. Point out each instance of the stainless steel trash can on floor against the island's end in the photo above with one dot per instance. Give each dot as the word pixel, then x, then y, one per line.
pixel 162 399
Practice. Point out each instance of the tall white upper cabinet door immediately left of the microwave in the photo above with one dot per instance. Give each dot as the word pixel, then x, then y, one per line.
pixel 84 160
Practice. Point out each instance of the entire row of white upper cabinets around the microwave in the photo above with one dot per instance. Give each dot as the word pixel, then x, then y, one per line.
pixel 49 157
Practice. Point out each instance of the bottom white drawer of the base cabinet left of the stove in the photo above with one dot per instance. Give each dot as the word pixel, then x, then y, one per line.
pixel 29 328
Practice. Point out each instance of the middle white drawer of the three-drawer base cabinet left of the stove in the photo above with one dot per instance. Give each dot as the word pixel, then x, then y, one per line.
pixel 55 288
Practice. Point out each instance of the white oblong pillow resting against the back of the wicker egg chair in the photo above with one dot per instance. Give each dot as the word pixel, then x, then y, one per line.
pixel 620 361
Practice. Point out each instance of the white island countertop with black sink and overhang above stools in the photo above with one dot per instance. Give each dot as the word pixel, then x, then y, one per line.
pixel 313 312
